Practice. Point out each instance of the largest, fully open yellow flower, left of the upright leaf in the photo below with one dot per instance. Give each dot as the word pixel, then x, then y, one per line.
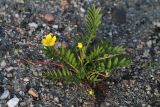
pixel 49 40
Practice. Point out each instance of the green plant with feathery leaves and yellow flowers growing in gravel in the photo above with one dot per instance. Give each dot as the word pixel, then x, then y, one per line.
pixel 88 61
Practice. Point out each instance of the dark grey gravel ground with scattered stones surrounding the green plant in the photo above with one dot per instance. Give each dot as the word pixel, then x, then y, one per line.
pixel 132 23
